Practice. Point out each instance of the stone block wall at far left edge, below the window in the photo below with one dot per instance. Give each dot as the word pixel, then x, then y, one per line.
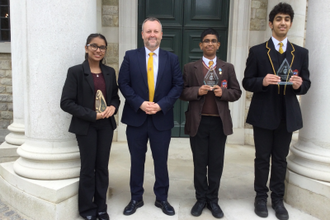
pixel 6 98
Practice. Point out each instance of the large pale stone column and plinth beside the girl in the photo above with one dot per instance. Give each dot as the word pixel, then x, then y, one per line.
pixel 56 32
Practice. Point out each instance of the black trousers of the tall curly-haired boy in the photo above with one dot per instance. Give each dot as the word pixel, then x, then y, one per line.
pixel 271 144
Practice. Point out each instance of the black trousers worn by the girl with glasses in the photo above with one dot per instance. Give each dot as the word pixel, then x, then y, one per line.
pixel 94 177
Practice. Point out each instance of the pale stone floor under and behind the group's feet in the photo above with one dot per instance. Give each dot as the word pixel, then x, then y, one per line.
pixel 236 195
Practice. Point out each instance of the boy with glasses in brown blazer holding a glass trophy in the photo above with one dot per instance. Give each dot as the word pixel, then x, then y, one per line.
pixel 208 120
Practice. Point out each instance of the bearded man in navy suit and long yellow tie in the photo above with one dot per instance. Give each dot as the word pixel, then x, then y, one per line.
pixel 151 81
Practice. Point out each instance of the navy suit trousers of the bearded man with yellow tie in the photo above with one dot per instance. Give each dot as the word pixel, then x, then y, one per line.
pixel 137 138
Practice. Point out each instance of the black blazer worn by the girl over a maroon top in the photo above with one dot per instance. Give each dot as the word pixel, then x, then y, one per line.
pixel 78 96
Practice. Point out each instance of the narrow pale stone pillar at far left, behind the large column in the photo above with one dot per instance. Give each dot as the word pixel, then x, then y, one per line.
pixel 16 136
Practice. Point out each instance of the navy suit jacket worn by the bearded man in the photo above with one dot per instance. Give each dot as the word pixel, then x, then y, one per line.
pixel 134 86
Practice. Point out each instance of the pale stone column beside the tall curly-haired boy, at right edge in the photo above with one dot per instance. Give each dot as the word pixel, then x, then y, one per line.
pixel 308 177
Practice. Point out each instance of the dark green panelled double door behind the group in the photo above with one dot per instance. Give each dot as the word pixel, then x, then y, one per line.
pixel 183 22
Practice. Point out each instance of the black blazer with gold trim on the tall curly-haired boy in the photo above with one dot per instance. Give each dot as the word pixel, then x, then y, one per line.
pixel 265 108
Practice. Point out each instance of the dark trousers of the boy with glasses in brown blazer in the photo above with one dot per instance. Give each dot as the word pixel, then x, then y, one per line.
pixel 208 148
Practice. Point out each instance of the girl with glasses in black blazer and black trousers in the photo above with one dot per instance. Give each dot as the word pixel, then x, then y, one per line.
pixel 94 131
